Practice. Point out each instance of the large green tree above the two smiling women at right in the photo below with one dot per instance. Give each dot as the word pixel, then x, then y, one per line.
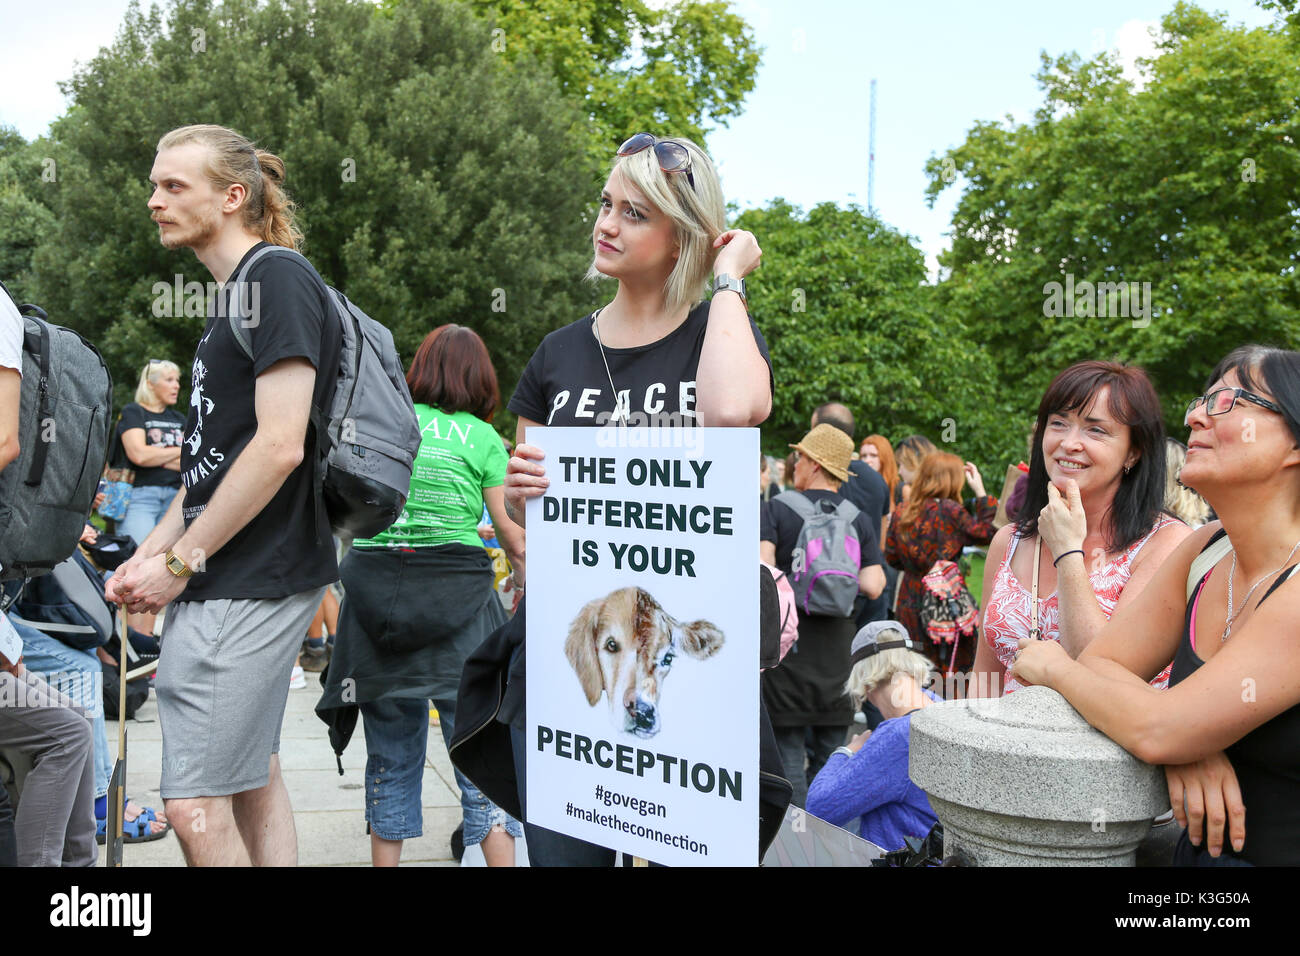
pixel 1188 185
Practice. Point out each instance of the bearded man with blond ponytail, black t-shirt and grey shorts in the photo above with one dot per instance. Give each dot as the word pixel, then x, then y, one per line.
pixel 245 551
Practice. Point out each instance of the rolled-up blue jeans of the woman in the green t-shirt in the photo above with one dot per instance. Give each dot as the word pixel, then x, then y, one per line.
pixel 397 734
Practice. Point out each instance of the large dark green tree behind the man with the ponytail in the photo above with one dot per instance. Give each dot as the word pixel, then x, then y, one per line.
pixel 426 175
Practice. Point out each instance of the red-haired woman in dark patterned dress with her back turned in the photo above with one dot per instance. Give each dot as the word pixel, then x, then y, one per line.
pixel 935 526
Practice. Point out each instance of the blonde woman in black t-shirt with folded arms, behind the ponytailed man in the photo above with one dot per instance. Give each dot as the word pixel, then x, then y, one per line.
pixel 150 431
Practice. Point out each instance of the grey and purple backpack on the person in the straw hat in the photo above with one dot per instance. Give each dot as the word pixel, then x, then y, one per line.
pixel 826 559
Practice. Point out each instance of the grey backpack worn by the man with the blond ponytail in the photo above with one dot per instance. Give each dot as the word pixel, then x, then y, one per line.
pixel 366 444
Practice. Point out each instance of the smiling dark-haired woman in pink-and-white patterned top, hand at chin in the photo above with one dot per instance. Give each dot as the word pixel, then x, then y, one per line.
pixel 1093 520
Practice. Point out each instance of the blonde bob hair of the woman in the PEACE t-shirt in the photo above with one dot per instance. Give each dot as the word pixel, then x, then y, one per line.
pixel 699 217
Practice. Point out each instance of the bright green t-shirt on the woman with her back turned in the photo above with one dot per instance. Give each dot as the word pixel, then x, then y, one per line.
pixel 460 456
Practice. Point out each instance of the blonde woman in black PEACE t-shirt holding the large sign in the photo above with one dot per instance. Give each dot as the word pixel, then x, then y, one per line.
pixel 658 354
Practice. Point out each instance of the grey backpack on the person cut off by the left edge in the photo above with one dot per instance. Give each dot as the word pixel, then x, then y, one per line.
pixel 47 491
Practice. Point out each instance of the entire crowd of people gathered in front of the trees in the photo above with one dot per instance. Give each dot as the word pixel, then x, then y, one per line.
pixel 1112 551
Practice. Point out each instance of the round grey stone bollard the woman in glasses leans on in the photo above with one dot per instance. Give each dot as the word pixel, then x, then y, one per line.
pixel 1025 781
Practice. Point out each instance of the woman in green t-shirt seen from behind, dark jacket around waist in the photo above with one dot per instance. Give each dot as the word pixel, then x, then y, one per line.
pixel 421 599
